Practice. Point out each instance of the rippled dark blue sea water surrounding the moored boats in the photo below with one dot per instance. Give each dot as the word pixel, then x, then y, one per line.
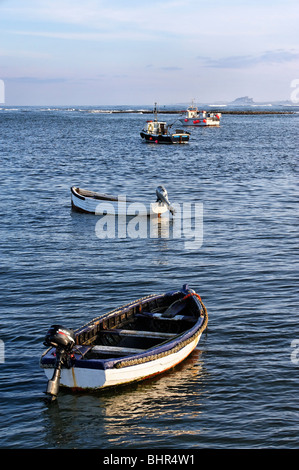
pixel 239 389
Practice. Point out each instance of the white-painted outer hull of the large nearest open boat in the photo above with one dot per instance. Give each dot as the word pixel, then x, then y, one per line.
pixel 77 378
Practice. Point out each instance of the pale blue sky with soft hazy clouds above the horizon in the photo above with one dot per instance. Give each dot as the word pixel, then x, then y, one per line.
pixel 94 52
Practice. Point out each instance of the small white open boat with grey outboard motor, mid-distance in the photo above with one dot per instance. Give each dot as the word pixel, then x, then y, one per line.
pixel 92 202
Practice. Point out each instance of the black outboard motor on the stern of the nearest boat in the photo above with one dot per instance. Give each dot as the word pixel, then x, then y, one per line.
pixel 63 340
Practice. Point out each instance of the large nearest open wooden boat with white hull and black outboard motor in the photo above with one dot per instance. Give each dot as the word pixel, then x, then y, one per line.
pixel 136 341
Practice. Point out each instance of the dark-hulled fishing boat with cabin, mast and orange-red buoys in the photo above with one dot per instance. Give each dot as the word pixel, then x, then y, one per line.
pixel 158 132
